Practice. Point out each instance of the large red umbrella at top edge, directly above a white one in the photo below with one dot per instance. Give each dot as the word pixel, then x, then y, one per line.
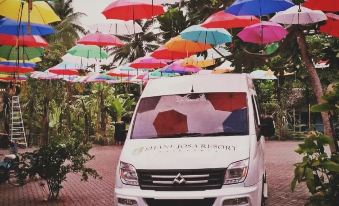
pixel 132 10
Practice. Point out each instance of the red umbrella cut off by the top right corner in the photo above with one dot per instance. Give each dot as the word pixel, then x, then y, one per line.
pixel 324 5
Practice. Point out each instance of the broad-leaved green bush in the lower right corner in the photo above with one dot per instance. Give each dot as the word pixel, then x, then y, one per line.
pixel 319 171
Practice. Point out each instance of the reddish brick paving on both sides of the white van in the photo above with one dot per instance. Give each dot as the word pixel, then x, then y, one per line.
pixel 280 157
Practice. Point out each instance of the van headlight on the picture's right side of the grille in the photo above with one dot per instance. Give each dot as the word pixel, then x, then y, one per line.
pixel 236 172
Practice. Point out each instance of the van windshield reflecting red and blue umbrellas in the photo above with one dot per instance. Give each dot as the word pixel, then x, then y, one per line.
pixel 191 115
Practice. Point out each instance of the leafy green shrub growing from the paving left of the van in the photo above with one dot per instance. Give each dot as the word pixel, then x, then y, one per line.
pixel 53 162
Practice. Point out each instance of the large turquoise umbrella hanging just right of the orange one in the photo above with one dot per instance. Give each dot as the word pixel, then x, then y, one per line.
pixel 213 36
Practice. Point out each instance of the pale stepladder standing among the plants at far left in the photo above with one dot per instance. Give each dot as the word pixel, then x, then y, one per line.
pixel 17 129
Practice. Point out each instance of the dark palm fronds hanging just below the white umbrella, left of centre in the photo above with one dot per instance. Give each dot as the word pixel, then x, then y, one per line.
pixel 137 45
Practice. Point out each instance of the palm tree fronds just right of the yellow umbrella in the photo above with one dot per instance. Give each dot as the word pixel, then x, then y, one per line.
pixel 68 29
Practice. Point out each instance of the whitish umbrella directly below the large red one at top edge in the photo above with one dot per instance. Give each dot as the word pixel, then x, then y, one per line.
pixel 117 27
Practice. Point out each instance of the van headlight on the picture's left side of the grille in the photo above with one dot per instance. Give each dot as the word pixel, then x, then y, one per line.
pixel 128 174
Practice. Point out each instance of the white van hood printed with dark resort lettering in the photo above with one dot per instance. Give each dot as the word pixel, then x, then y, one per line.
pixel 185 153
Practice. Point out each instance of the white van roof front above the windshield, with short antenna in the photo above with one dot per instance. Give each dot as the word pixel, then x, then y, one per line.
pixel 199 84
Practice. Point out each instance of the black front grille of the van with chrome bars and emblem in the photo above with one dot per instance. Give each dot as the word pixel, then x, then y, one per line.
pixel 184 180
